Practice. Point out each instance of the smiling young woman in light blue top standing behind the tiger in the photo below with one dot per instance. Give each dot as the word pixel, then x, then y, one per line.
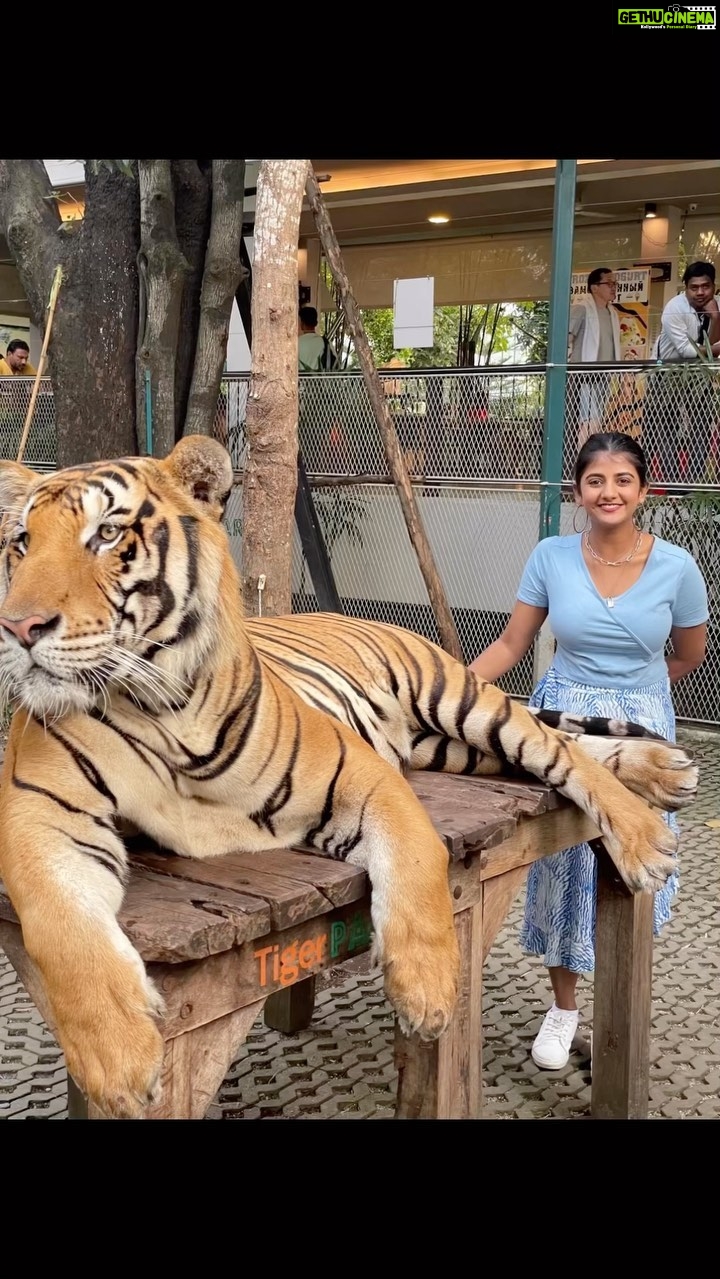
pixel 613 595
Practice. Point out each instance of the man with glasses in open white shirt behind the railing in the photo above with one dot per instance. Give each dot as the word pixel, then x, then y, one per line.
pixel 594 337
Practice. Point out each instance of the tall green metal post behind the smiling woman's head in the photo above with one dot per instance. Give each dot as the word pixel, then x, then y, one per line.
pixel 561 283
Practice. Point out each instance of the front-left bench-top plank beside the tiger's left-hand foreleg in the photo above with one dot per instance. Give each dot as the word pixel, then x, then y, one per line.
pixel 173 920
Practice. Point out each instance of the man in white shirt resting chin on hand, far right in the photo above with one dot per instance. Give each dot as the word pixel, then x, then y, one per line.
pixel 686 406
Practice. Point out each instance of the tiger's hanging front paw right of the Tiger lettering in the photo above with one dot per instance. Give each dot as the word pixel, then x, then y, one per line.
pixel 421 983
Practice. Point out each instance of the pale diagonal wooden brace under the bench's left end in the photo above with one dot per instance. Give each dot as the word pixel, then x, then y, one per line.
pixel 196 1063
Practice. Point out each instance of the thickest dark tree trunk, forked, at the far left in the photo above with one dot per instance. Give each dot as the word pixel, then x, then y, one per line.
pixel 93 347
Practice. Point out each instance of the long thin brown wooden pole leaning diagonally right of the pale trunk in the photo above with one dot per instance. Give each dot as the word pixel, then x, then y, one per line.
pixel 450 638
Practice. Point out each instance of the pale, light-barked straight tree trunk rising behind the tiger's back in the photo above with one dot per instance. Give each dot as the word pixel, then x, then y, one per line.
pixel 272 471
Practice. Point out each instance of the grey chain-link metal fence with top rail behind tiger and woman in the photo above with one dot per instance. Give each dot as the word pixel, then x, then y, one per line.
pixel 474 444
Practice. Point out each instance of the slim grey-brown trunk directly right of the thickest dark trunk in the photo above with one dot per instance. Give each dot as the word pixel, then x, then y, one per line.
pixel 163 271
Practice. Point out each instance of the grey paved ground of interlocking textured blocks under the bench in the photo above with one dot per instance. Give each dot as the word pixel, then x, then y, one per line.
pixel 342 1066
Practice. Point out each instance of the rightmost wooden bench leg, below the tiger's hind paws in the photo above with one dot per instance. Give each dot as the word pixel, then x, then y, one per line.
pixel 623 994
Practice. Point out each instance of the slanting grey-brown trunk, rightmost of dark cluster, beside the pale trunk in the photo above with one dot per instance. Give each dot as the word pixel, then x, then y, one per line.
pixel 221 281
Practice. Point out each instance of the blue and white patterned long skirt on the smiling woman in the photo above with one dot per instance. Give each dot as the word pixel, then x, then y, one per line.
pixel 560 918
